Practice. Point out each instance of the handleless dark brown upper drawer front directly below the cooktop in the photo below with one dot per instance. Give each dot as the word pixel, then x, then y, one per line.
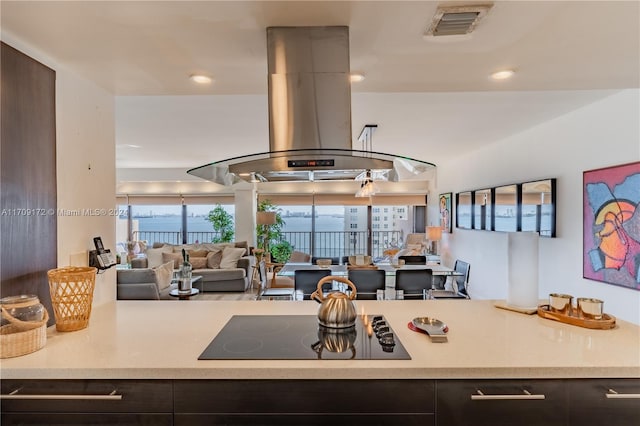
pixel 304 396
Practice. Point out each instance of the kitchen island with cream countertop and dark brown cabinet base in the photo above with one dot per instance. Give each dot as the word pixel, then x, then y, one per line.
pixel 155 345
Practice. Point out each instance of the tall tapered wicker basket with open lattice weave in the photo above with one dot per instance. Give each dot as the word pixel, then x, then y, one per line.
pixel 71 296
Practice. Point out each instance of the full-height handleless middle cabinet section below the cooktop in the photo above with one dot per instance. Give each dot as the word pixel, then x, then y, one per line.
pixel 308 402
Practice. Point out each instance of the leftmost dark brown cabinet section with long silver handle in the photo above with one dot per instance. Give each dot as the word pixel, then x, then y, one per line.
pixel 76 402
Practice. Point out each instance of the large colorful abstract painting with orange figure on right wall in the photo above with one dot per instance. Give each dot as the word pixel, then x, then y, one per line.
pixel 611 220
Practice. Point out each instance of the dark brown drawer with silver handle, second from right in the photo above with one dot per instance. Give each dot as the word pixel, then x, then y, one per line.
pixel 501 402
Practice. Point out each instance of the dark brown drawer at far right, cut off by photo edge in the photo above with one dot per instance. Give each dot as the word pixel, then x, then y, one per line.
pixel 611 402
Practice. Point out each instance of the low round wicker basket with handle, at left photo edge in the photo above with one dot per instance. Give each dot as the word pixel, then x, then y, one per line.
pixel 22 337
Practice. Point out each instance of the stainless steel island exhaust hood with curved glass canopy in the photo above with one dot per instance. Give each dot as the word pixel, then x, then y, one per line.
pixel 310 118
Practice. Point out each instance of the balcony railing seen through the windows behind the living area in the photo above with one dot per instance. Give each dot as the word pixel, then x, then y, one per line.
pixel 325 243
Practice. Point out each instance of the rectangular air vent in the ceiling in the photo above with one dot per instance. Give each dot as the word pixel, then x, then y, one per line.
pixel 456 20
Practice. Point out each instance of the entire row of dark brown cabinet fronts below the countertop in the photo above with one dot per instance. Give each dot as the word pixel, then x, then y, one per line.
pixel 573 402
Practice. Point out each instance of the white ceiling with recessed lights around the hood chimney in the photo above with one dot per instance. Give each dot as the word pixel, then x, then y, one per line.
pixel 435 94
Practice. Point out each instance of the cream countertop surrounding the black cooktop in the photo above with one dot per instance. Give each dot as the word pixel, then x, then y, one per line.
pixel 163 339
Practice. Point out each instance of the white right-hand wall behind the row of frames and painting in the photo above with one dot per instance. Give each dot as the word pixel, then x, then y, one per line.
pixel 601 134
